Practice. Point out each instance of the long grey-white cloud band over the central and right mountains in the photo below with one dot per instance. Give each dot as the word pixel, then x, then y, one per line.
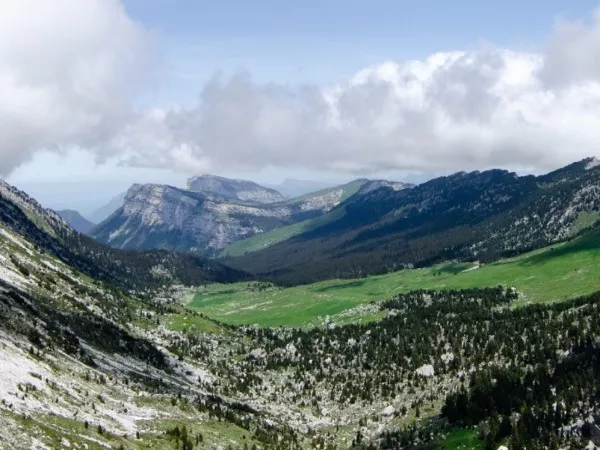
pixel 452 111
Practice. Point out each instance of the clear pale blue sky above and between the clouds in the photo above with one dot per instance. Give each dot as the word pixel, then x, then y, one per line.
pixel 325 41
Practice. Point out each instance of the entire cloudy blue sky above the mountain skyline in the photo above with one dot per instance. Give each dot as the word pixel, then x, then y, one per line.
pixel 98 94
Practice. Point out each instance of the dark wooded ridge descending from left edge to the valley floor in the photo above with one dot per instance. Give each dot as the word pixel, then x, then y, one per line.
pixel 128 270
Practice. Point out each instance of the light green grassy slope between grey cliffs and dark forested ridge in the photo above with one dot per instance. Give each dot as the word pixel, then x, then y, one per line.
pixel 264 240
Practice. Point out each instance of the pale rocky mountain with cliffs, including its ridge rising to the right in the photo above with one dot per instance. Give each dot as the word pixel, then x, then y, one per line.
pixel 165 217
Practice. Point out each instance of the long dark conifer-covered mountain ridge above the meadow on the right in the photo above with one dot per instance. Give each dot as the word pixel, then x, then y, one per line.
pixel 468 216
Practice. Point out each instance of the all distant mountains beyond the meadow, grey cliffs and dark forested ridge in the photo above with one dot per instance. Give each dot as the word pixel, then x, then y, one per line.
pixel 362 227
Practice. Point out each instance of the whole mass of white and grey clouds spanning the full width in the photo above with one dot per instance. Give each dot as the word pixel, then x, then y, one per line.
pixel 69 77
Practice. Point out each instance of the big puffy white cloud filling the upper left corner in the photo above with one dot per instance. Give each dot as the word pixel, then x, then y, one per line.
pixel 68 69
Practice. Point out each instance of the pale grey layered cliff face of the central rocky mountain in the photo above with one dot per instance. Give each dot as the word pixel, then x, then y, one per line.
pixel 160 216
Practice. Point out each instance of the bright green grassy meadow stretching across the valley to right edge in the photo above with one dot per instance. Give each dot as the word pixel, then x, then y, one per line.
pixel 551 274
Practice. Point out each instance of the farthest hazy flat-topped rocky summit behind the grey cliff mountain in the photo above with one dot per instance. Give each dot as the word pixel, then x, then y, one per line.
pixel 240 190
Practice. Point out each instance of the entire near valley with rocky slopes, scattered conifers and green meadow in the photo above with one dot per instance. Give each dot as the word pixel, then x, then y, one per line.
pixel 86 365
